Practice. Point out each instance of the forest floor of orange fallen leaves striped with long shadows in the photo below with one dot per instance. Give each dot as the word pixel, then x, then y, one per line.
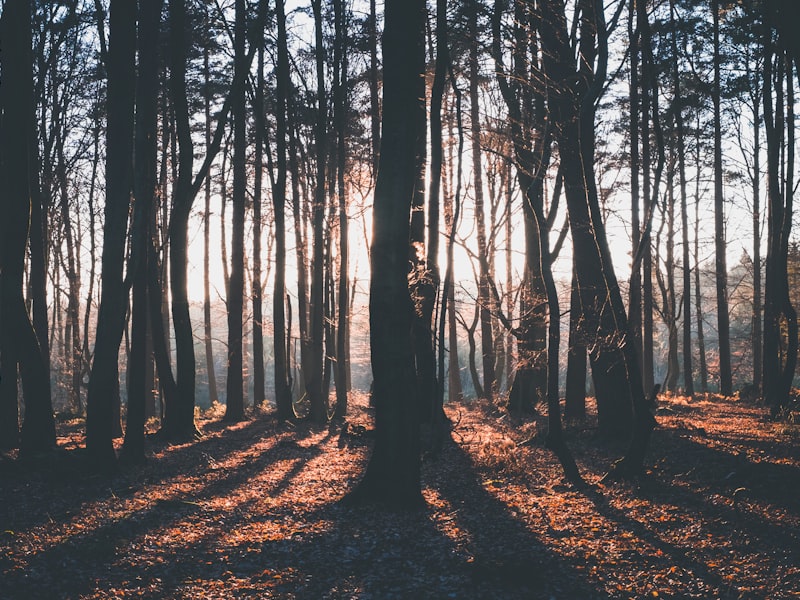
pixel 252 511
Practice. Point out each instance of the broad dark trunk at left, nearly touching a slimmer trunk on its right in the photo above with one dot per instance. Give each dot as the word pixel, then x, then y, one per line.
pixel 104 378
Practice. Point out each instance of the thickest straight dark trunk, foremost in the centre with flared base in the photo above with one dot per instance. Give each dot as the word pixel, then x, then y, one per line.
pixel 392 475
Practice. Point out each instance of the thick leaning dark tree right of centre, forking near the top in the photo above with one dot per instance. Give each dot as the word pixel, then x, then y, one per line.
pixel 572 106
